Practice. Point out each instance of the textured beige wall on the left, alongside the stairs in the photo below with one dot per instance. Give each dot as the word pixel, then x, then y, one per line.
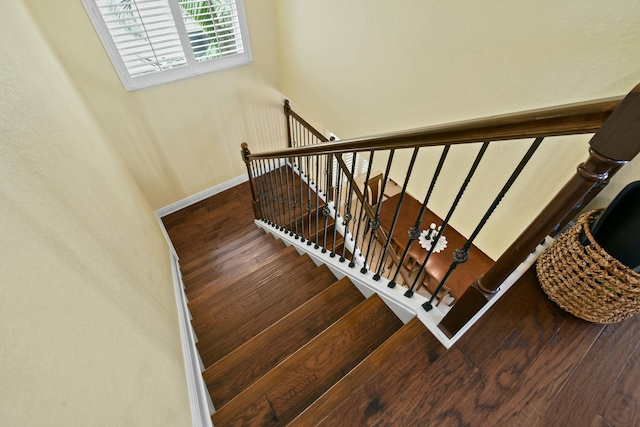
pixel 88 322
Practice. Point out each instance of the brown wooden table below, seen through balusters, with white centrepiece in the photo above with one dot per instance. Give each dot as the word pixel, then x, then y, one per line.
pixel 463 276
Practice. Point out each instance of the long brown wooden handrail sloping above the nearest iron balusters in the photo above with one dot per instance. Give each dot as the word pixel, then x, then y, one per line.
pixel 580 118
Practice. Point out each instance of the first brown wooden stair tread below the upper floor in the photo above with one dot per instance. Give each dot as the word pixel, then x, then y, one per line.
pixel 308 373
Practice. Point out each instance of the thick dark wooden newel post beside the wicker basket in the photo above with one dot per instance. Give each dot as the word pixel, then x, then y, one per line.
pixel 616 143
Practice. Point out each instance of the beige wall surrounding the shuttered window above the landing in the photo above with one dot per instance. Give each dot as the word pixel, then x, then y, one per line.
pixel 180 138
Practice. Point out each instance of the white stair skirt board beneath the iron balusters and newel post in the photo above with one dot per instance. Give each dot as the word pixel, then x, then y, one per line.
pixel 405 308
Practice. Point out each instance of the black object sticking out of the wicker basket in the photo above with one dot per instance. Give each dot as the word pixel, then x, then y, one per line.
pixel 617 230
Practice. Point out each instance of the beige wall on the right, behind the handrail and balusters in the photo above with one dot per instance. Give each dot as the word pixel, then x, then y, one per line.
pixel 362 68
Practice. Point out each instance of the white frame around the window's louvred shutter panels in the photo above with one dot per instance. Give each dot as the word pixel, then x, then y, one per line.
pixel 191 69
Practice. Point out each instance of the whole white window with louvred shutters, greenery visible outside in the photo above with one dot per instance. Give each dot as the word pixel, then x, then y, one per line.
pixel 157 41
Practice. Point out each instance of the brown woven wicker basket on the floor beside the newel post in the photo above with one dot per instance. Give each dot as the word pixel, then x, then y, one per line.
pixel 585 280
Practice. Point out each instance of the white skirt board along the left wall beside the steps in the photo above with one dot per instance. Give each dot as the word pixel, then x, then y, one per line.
pixel 199 400
